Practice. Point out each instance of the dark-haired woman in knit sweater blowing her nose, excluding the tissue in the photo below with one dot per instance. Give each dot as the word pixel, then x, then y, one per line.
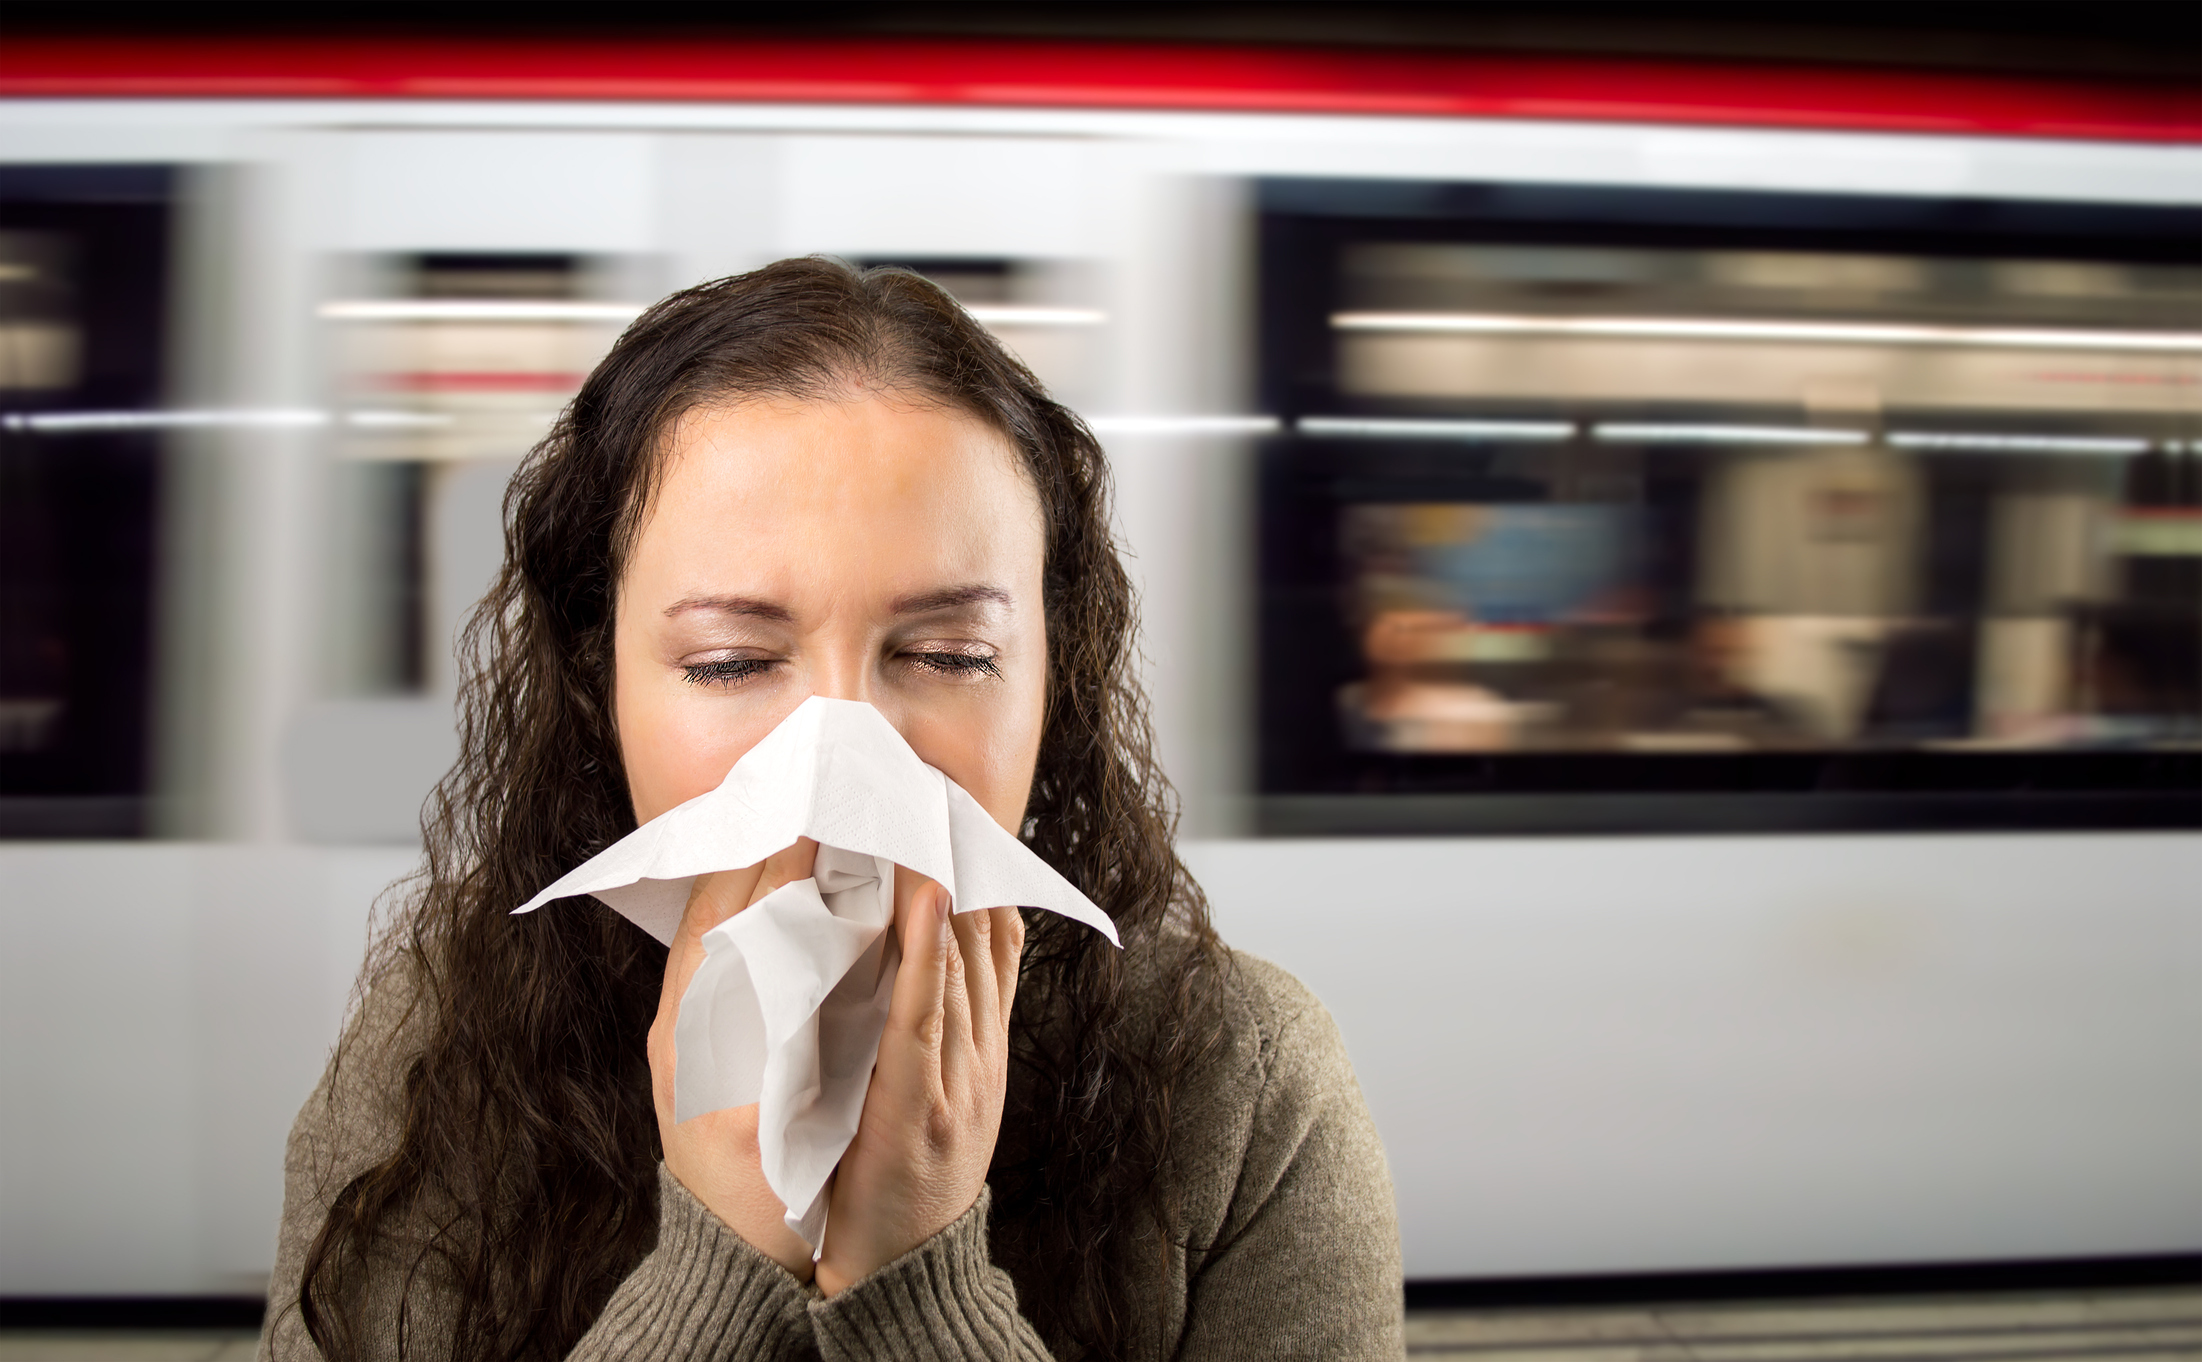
pixel 818 481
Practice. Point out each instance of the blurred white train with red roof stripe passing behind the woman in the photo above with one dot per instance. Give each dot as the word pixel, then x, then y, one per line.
pixel 1672 595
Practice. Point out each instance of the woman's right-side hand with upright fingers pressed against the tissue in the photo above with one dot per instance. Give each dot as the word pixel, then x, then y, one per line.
pixel 935 1108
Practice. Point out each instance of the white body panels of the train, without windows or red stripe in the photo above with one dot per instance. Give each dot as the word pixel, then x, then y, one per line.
pixel 1587 1055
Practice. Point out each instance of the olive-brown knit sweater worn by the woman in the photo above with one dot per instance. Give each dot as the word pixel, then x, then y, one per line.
pixel 1289 1251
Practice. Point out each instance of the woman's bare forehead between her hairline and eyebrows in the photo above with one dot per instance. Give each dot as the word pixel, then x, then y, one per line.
pixel 789 492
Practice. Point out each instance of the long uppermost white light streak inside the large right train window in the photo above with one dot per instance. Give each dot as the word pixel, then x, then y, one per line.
pixel 1721 329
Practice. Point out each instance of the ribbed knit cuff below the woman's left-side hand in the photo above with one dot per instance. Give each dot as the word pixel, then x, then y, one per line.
pixel 704 1293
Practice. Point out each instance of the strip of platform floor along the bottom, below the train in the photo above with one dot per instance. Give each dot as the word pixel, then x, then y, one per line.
pixel 2144 1326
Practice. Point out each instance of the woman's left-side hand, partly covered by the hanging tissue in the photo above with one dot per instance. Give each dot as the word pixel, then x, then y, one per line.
pixel 717 1154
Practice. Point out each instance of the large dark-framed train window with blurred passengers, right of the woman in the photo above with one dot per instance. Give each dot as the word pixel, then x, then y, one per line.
pixel 1646 509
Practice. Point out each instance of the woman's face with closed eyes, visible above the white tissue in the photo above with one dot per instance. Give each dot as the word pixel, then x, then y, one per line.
pixel 858 549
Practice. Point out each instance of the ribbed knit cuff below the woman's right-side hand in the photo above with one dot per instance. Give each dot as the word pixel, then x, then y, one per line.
pixel 941 1301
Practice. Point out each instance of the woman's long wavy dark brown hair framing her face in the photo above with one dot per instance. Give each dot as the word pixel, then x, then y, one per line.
pixel 525 1178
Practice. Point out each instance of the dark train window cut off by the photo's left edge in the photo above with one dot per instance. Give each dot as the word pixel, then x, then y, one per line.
pixel 83 336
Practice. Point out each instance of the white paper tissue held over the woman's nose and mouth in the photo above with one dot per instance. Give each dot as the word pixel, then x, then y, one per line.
pixel 792 996
